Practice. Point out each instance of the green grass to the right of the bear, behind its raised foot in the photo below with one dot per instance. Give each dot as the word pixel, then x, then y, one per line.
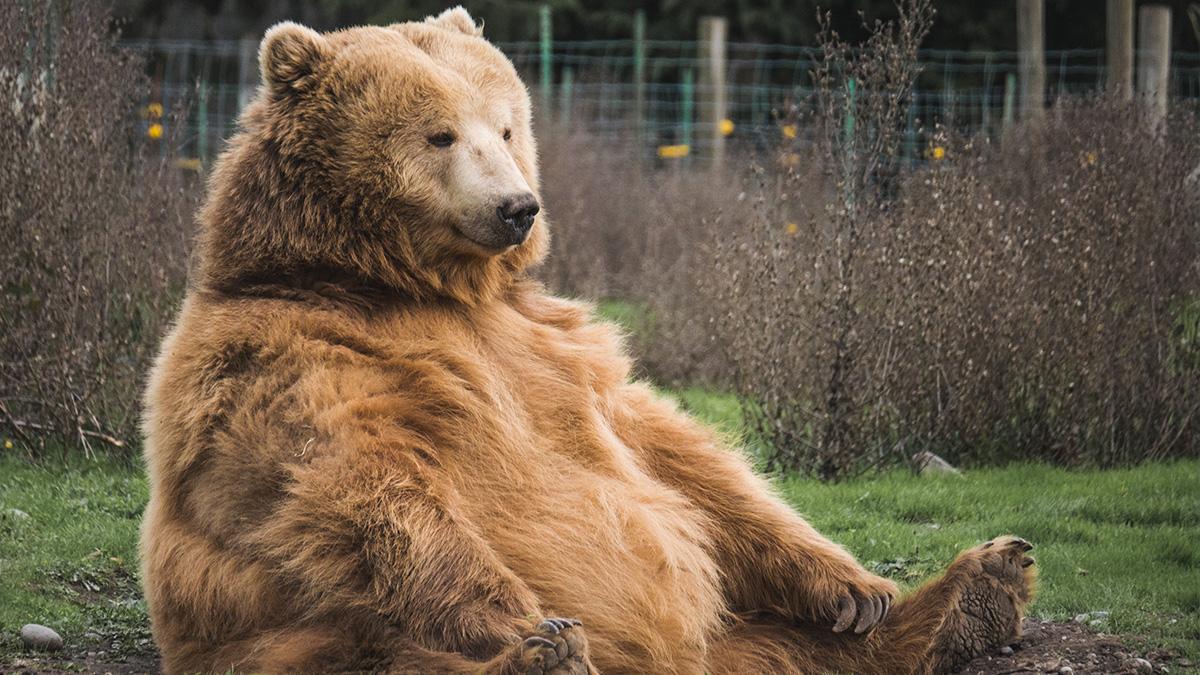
pixel 1119 541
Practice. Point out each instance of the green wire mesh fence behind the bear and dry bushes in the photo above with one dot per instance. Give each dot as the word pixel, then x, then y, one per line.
pixel 649 91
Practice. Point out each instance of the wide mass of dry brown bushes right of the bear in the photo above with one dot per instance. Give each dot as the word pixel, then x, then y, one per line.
pixel 1037 297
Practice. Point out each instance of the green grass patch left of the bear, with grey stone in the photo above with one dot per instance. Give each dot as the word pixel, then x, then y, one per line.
pixel 69 553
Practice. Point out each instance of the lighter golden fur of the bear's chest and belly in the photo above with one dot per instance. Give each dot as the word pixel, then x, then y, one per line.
pixel 571 509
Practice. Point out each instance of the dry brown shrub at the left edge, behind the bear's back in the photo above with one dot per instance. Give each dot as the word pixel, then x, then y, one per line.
pixel 95 230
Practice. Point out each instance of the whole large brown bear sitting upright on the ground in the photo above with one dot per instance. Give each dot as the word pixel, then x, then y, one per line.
pixel 375 444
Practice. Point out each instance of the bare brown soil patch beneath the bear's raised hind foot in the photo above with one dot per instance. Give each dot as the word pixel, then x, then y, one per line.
pixel 1072 649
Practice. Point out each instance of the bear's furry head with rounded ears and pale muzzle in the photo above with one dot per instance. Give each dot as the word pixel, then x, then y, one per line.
pixel 398 158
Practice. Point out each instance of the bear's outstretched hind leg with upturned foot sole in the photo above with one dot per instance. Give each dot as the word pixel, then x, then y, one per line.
pixel 975 607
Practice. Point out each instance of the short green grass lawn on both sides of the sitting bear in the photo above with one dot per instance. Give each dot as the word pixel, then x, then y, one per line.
pixel 1126 542
